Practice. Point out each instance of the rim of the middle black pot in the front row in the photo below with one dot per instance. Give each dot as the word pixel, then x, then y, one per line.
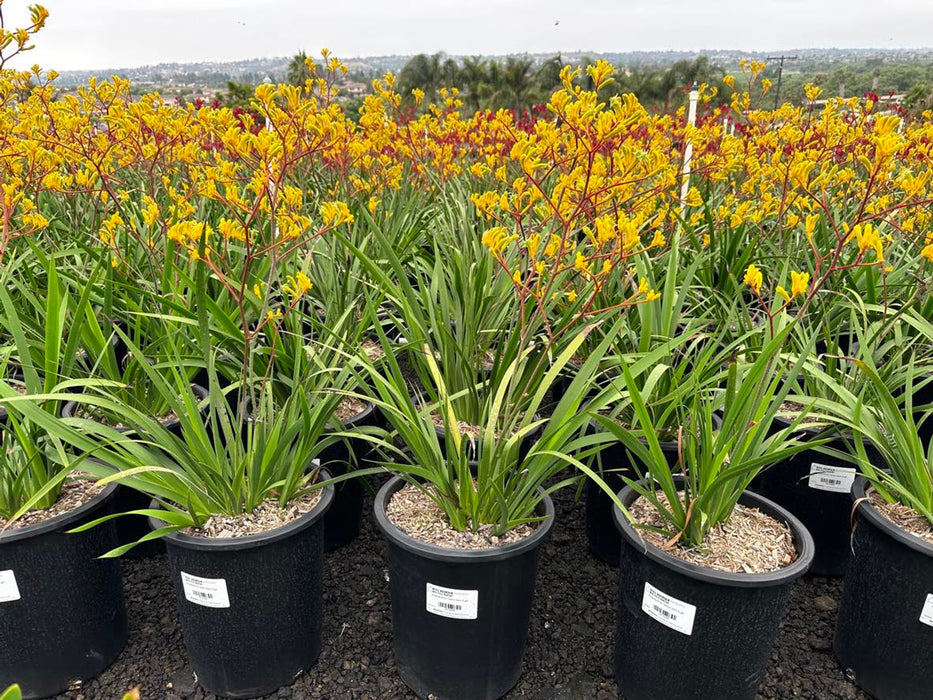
pixel 436 552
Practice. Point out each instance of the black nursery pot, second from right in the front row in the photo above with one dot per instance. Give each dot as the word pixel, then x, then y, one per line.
pixel 686 631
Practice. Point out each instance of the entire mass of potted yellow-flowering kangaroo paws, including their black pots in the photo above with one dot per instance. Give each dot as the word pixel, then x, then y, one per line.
pixel 214 331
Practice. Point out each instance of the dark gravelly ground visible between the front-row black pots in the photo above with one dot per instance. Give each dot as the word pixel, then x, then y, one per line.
pixel 569 653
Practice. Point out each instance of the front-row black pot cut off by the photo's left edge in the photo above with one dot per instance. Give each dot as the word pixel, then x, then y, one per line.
pixel 62 617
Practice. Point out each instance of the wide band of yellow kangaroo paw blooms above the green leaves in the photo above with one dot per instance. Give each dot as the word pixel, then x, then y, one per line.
pixel 576 200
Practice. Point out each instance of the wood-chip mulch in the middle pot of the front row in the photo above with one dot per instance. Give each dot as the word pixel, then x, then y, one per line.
pixel 414 512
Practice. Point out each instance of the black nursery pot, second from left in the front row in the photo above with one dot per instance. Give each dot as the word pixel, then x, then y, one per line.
pixel 251 607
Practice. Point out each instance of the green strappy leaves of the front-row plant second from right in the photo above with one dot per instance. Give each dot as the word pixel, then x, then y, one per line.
pixel 716 466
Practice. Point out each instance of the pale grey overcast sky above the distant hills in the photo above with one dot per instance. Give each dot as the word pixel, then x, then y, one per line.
pixel 124 33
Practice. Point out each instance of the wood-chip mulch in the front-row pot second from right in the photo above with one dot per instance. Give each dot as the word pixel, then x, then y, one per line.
pixel 749 542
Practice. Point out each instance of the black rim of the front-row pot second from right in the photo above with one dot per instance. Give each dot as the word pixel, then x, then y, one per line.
pixel 802 540
